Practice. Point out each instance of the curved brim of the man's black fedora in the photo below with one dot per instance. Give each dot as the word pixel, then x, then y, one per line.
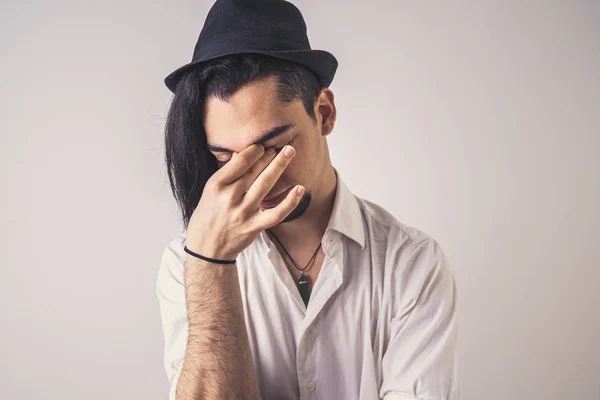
pixel 322 63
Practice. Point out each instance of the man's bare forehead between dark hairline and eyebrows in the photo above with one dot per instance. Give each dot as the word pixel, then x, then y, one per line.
pixel 252 110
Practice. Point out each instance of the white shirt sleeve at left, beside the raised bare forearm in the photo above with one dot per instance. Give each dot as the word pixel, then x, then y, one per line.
pixel 170 289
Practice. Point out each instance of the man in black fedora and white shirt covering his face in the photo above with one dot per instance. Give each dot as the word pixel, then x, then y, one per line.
pixel 284 285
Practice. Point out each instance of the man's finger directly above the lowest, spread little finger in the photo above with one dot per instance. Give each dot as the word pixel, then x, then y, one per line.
pixel 268 177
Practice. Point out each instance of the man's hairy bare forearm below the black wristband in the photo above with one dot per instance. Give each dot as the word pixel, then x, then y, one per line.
pixel 218 361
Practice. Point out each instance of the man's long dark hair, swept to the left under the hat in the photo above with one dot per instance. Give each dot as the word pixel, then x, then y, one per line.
pixel 189 163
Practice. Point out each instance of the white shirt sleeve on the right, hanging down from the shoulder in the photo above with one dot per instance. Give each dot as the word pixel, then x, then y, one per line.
pixel 420 360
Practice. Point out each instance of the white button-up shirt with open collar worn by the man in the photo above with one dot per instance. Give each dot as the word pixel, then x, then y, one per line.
pixel 380 323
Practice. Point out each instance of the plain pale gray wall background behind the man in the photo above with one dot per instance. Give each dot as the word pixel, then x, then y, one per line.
pixel 477 122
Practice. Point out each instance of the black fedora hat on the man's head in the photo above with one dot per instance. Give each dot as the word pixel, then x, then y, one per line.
pixel 271 27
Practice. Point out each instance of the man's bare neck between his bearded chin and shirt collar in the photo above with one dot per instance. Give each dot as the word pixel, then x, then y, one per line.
pixel 312 224
